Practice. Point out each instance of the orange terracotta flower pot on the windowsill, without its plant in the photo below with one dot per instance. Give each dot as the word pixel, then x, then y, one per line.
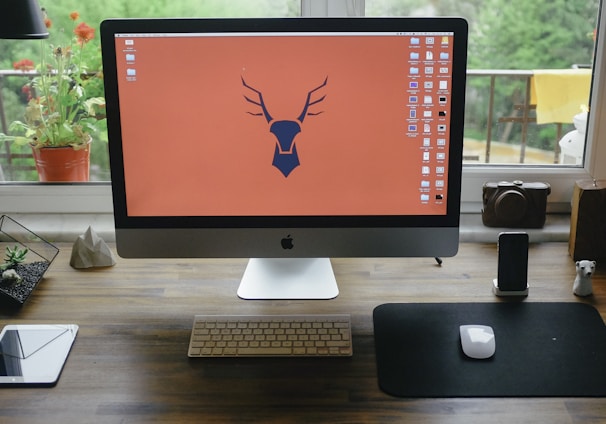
pixel 62 163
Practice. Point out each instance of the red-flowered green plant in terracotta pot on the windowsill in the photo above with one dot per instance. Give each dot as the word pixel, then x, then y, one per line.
pixel 61 115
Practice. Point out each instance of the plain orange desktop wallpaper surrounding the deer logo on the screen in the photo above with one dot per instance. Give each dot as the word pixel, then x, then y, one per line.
pixel 193 146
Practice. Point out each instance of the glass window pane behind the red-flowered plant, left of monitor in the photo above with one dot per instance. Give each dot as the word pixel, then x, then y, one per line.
pixel 20 59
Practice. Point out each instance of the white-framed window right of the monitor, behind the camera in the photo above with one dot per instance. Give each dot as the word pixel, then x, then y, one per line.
pixel 496 54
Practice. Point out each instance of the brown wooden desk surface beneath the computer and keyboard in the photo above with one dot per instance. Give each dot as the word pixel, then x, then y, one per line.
pixel 129 363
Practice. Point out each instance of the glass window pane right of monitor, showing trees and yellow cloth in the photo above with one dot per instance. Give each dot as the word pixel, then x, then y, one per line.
pixel 529 75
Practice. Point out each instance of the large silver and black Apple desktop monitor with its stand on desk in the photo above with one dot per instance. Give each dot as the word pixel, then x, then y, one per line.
pixel 289 141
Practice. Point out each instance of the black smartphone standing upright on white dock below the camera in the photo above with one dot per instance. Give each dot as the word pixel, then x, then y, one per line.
pixel 512 272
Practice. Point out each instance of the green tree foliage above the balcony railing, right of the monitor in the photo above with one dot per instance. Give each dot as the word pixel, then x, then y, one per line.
pixel 522 34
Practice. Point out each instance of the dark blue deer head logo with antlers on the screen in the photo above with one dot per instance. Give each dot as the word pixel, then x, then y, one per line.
pixel 285 153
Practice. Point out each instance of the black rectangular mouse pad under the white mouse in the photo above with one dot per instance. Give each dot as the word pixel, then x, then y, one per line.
pixel 542 349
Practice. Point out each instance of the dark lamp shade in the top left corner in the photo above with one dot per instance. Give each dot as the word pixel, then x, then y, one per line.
pixel 21 19
